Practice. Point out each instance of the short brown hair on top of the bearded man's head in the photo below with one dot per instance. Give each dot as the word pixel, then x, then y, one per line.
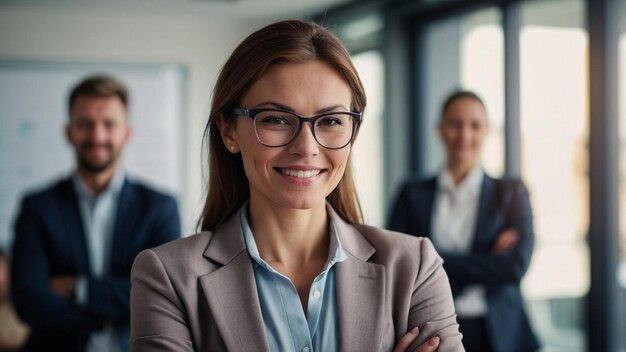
pixel 99 86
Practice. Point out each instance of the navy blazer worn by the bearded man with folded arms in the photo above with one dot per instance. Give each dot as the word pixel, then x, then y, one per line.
pixel 49 241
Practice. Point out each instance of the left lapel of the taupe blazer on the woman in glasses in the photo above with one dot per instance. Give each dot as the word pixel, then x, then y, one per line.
pixel 231 292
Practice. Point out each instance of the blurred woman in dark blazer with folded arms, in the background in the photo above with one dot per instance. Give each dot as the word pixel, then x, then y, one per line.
pixel 481 226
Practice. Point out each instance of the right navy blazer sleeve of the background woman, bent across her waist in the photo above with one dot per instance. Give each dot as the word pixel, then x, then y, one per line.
pixel 491 269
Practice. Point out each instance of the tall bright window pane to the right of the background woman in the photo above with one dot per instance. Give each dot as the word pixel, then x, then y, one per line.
pixel 554 134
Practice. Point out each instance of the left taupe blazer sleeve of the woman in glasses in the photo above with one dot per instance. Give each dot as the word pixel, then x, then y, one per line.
pixel 158 319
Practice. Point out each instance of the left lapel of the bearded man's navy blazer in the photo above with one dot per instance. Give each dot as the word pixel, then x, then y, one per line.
pixel 75 232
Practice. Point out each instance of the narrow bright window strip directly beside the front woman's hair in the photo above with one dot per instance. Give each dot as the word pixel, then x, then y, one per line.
pixel 367 155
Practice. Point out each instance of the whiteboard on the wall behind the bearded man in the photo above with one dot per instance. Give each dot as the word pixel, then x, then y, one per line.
pixel 33 114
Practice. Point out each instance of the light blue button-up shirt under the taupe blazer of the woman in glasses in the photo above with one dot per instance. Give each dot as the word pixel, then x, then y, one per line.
pixel 287 327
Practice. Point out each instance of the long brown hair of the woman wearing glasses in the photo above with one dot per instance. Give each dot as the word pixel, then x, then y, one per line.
pixel 287 41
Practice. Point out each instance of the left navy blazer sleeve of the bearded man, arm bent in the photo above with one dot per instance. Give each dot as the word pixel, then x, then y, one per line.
pixel 35 303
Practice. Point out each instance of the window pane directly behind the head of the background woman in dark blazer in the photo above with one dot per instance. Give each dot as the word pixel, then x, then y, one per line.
pixel 463 52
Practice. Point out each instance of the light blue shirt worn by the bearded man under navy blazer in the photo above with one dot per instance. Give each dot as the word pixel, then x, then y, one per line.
pixel 98 213
